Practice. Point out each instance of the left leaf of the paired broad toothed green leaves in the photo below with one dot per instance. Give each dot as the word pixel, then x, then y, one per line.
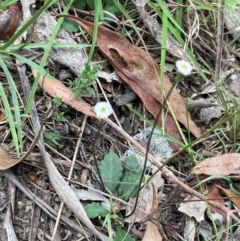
pixel 111 171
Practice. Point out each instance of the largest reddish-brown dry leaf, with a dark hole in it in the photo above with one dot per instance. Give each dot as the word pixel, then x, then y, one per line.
pixel 137 68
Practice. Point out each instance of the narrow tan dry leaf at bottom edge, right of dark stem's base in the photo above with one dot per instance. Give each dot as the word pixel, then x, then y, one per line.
pixel 152 233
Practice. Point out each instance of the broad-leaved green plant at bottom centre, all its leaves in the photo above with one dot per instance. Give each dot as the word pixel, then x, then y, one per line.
pixel 122 179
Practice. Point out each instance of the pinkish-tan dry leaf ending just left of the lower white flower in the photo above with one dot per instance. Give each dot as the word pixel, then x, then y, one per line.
pixel 56 88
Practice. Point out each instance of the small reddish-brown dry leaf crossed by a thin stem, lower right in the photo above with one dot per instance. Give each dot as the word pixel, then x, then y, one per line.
pixel 214 195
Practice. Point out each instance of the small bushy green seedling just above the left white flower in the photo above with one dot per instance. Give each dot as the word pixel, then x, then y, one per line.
pixel 81 85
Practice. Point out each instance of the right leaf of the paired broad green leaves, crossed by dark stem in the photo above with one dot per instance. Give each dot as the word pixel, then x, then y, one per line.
pixel 131 178
